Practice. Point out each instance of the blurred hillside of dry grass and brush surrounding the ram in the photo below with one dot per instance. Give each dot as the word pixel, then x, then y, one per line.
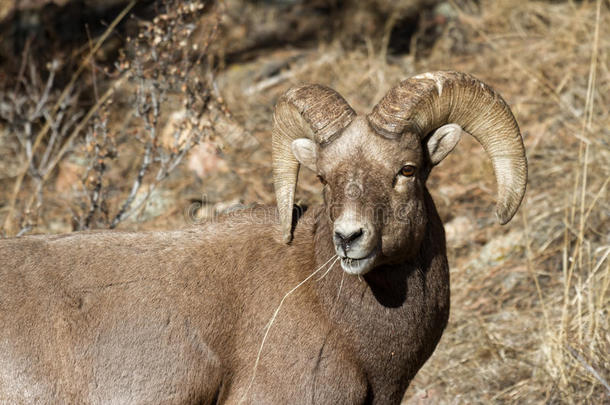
pixel 158 114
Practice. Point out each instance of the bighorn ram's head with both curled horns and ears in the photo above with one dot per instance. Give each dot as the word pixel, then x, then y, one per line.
pixel 374 167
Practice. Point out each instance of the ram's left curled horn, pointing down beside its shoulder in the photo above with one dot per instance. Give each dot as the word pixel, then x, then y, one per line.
pixel 311 111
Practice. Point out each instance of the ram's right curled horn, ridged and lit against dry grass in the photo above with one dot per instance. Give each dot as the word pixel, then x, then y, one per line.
pixel 425 102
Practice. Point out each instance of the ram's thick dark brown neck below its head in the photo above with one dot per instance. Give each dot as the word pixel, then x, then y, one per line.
pixel 393 316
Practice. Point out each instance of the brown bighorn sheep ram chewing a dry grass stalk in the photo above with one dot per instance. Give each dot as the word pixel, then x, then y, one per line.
pixel 180 317
